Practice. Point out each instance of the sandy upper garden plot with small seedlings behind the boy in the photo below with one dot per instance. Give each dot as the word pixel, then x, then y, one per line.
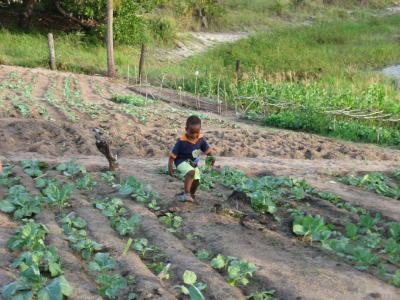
pixel 73 104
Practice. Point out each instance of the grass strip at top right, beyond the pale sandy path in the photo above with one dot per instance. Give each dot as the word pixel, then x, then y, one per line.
pixel 244 14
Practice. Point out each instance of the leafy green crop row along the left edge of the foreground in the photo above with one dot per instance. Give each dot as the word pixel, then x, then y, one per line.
pixel 40 270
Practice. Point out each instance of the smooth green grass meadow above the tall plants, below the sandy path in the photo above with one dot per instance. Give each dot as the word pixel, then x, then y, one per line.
pixel 335 51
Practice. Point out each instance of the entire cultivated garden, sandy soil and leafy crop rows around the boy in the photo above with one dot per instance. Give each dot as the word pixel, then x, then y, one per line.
pixel 119 237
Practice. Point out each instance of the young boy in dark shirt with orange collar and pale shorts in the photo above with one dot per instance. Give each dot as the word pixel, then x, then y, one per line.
pixel 186 155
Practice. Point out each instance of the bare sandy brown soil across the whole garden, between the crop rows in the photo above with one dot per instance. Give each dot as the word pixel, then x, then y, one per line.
pixel 296 269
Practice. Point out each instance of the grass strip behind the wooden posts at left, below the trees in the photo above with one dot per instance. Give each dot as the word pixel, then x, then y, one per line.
pixel 73 53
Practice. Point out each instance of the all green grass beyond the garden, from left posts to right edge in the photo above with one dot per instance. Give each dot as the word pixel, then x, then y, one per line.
pixel 321 66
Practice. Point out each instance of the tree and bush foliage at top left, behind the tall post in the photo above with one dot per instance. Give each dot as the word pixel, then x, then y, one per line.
pixel 135 21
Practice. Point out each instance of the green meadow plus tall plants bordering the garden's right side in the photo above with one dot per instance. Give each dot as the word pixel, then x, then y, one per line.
pixel 294 79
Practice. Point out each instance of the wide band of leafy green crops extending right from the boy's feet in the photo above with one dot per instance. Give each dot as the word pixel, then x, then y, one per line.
pixel 368 244
